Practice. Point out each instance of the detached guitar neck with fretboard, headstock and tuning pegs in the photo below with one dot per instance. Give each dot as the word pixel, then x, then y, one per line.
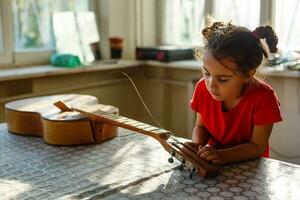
pixel 181 149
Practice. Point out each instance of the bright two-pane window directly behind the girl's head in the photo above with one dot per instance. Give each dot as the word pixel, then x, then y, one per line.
pixel 184 19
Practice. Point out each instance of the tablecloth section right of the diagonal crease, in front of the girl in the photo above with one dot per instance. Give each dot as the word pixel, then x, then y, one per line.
pixel 256 179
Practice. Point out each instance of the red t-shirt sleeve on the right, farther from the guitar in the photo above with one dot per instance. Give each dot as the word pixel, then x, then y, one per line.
pixel 267 109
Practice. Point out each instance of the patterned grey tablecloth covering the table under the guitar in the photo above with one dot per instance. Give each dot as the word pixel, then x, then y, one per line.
pixel 131 166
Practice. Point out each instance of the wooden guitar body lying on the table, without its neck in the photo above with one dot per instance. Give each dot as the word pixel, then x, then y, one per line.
pixel 39 117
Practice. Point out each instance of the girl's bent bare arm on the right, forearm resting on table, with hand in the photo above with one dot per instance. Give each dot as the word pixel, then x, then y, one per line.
pixel 253 149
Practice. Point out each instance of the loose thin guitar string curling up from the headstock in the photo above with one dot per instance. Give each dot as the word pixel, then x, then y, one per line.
pixel 143 102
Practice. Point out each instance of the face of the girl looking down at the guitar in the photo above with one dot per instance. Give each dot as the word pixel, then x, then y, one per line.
pixel 221 78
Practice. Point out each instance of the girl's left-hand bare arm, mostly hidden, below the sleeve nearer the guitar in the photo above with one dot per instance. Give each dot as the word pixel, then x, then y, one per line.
pixel 200 133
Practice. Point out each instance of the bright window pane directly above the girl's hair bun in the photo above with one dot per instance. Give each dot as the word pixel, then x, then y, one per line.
pixel 244 13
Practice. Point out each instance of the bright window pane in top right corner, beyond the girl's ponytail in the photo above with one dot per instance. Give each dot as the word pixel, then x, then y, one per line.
pixel 287 17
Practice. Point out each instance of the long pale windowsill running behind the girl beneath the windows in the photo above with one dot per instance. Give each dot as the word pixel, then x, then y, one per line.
pixel 49 70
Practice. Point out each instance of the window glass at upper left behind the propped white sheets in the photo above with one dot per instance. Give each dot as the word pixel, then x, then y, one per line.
pixel 32 21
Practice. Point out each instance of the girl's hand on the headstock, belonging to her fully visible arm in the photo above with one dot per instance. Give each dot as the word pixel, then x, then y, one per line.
pixel 209 153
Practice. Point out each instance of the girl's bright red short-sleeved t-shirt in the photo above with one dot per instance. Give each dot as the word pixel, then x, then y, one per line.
pixel 258 106
